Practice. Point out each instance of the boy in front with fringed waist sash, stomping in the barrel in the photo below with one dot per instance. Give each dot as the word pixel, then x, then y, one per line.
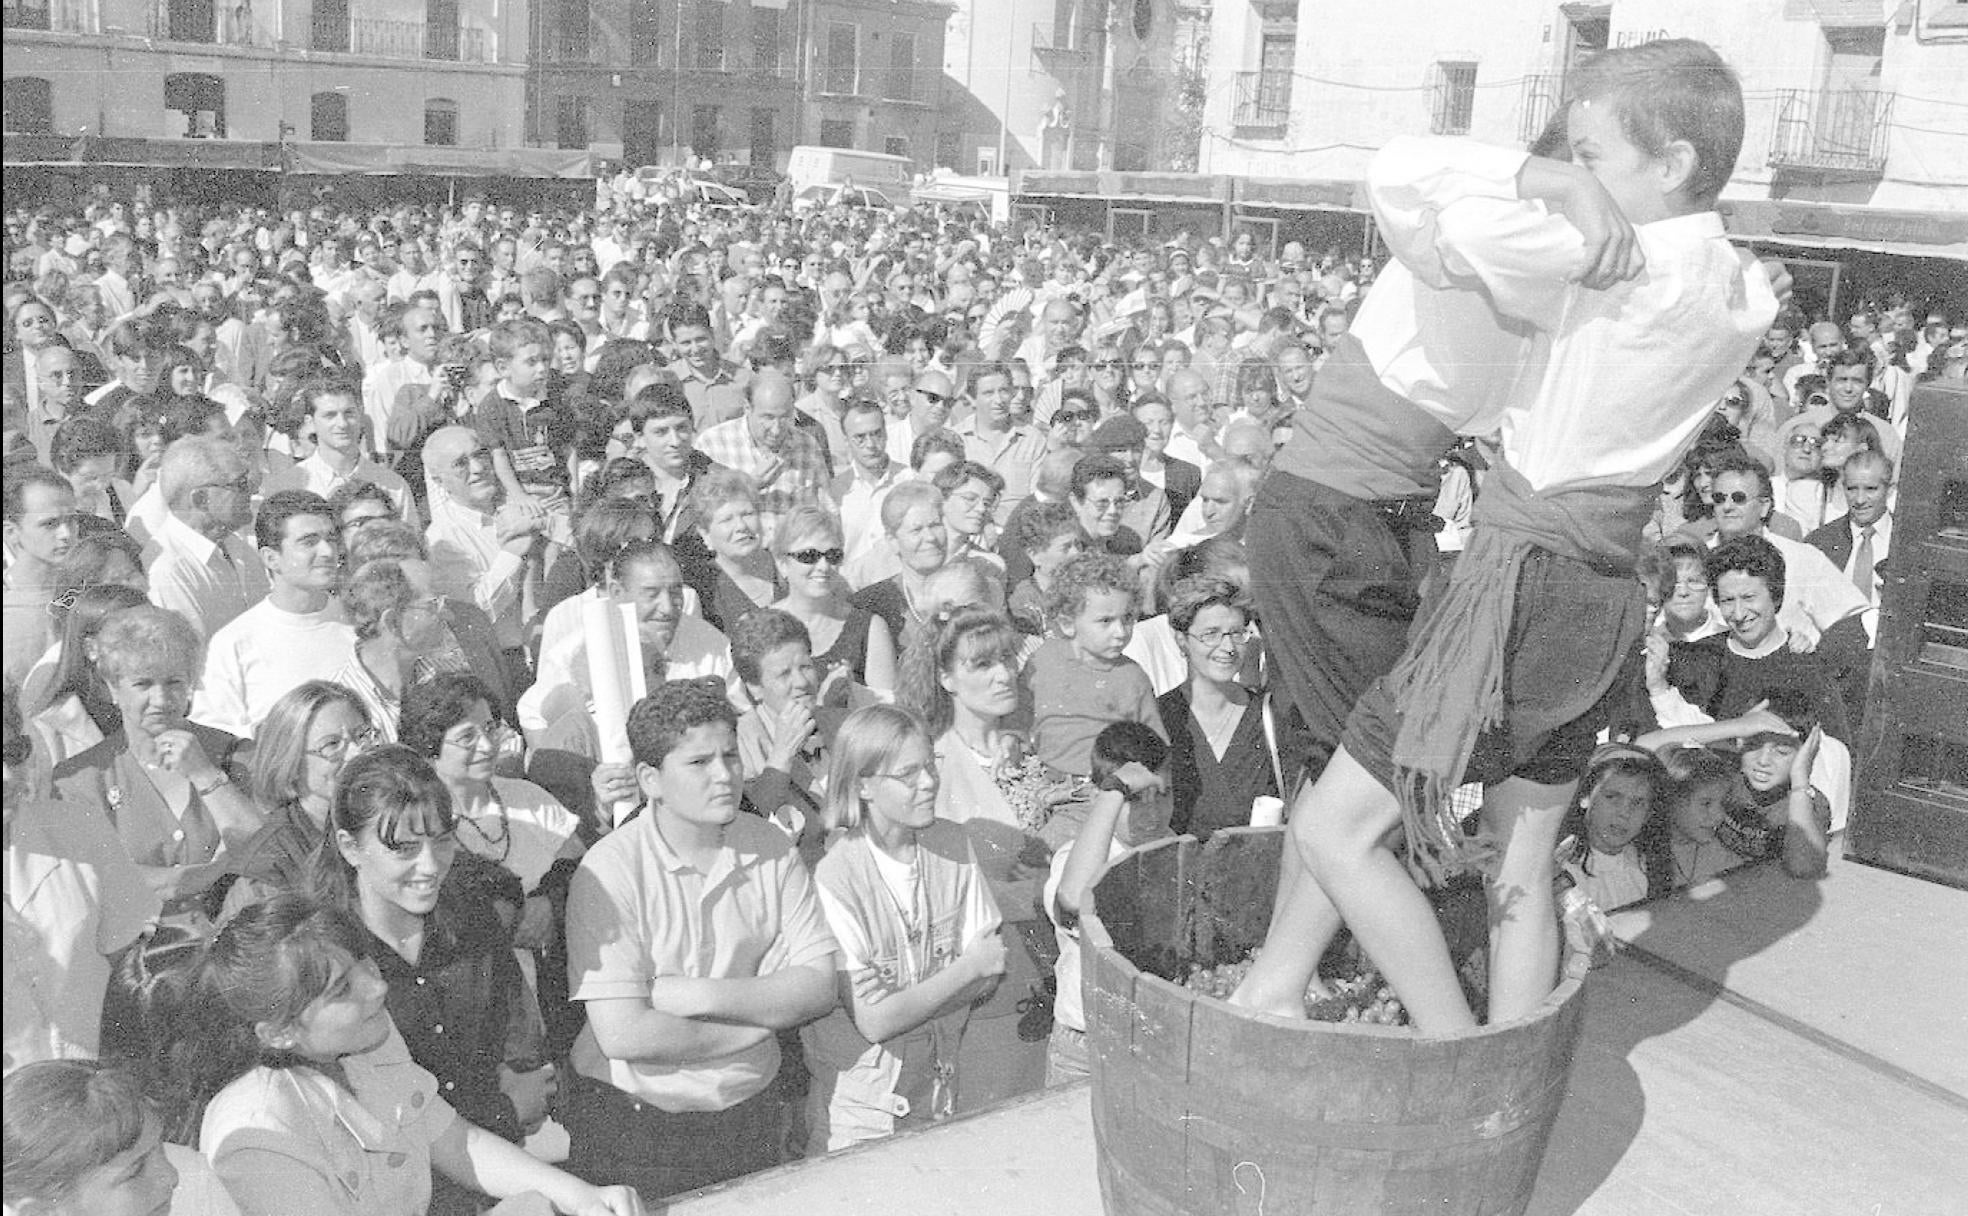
pixel 1544 603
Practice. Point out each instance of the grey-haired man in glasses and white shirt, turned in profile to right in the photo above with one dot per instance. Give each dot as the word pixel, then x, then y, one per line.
pixel 200 566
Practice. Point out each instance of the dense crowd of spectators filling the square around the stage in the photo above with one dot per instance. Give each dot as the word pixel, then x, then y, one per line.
pixel 326 875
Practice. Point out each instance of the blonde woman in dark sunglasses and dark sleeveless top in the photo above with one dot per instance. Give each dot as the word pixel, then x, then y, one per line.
pixel 843 635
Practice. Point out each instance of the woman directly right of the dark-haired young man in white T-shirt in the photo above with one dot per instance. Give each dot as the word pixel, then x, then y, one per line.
pixel 400 637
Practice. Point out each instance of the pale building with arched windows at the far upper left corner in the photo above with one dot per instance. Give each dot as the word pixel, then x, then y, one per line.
pixel 336 72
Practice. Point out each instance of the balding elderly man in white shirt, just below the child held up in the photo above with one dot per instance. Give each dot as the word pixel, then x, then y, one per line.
pixel 483 548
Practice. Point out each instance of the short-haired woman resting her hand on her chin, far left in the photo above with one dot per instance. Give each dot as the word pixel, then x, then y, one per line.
pixel 166 784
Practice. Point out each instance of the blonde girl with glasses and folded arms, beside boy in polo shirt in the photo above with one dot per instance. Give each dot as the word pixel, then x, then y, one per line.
pixel 918 936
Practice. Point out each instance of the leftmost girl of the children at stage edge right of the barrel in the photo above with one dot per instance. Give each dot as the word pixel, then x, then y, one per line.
pixel 1601 855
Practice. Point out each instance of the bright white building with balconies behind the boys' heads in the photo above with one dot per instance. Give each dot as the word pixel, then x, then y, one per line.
pixel 1849 103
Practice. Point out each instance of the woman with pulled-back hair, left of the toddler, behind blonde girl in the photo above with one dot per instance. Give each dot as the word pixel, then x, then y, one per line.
pixel 961 676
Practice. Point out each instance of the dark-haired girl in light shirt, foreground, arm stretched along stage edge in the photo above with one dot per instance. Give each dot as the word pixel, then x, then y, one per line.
pixel 306 1097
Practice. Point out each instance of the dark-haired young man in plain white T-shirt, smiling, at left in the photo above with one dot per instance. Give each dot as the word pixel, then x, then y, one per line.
pixel 294 635
